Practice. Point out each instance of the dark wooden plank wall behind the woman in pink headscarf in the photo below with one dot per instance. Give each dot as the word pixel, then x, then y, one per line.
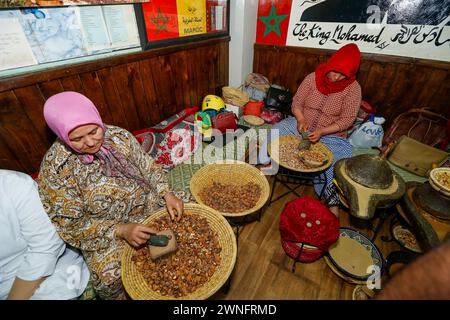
pixel 134 91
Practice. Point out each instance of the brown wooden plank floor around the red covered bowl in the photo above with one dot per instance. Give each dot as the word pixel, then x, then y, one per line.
pixel 263 270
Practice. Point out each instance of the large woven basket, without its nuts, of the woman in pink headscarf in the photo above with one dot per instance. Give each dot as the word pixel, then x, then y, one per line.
pixel 137 287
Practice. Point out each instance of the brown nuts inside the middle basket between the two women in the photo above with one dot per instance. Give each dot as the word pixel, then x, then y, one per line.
pixel 230 197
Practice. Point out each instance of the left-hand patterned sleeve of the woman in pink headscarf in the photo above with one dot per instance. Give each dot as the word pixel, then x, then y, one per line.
pixel 64 205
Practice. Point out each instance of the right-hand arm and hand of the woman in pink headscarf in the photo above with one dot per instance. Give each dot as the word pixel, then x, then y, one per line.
pixel 156 177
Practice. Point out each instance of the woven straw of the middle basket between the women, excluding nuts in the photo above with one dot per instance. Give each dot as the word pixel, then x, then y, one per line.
pixel 230 172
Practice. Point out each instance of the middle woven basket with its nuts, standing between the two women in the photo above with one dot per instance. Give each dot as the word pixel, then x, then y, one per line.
pixel 232 188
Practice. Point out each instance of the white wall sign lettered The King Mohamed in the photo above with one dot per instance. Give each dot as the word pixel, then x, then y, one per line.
pixel 411 28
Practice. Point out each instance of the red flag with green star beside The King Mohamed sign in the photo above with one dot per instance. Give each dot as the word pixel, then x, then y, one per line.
pixel 273 21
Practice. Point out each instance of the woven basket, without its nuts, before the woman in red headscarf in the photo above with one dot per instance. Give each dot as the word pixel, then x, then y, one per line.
pixel 319 146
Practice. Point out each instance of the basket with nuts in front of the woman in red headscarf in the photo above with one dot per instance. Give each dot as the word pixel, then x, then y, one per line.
pixel 285 151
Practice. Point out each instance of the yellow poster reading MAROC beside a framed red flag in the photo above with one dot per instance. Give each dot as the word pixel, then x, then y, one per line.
pixel 191 17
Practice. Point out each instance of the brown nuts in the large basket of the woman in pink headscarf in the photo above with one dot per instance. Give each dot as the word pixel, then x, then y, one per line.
pixel 191 266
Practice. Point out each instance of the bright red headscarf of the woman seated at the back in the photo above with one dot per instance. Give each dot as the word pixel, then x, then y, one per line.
pixel 345 61
